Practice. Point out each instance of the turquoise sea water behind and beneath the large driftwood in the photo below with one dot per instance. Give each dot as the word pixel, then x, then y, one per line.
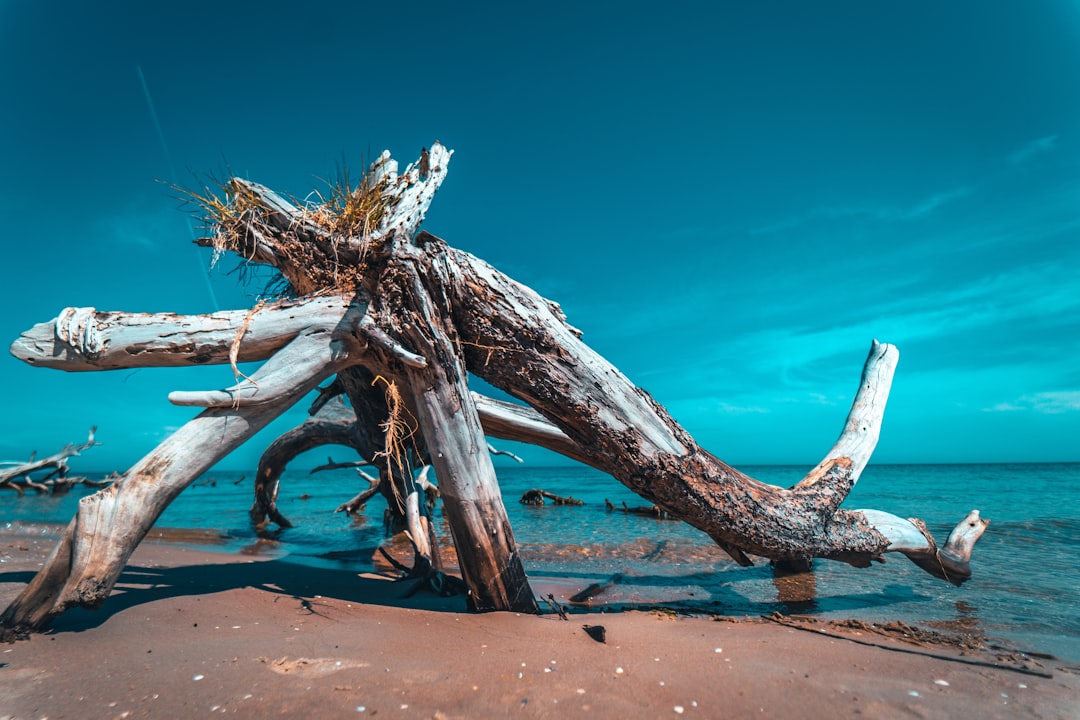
pixel 1025 588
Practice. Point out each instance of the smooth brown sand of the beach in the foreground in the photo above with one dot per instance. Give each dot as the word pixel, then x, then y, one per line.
pixel 196 634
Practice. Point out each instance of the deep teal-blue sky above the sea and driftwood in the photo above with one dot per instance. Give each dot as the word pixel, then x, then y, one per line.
pixel 731 199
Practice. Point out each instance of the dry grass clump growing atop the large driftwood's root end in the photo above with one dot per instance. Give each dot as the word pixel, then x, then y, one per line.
pixel 320 246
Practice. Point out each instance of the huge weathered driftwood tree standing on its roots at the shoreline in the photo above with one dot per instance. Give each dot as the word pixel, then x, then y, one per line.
pixel 400 319
